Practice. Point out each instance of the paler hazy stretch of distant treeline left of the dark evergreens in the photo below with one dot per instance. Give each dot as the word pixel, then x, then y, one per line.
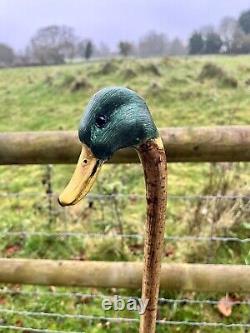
pixel 58 44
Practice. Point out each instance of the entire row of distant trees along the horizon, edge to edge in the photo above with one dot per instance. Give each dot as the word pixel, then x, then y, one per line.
pixel 58 44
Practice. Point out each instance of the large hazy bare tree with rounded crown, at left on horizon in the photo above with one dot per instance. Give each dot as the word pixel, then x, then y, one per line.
pixel 53 44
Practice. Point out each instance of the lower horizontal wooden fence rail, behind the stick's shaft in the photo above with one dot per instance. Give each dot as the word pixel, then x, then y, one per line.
pixel 180 277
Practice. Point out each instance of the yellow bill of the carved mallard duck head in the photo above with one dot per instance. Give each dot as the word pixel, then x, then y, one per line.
pixel 86 171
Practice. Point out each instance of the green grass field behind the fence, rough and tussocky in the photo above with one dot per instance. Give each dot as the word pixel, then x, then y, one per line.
pixel 203 91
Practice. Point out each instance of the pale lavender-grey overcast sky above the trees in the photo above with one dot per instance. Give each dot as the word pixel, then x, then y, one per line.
pixel 112 20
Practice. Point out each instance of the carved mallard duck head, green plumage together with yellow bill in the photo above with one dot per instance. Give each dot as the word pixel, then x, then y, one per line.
pixel 115 118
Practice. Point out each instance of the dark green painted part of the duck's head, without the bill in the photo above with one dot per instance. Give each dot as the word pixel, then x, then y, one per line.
pixel 115 118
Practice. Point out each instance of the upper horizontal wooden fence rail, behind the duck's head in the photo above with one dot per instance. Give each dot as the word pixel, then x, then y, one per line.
pixel 189 144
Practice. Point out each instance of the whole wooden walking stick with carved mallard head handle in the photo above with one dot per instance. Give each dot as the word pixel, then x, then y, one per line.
pixel 117 118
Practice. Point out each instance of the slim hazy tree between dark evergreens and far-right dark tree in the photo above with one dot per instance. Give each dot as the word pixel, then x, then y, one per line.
pixel 227 30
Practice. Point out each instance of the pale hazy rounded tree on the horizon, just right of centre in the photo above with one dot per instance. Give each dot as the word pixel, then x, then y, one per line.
pixel 153 44
